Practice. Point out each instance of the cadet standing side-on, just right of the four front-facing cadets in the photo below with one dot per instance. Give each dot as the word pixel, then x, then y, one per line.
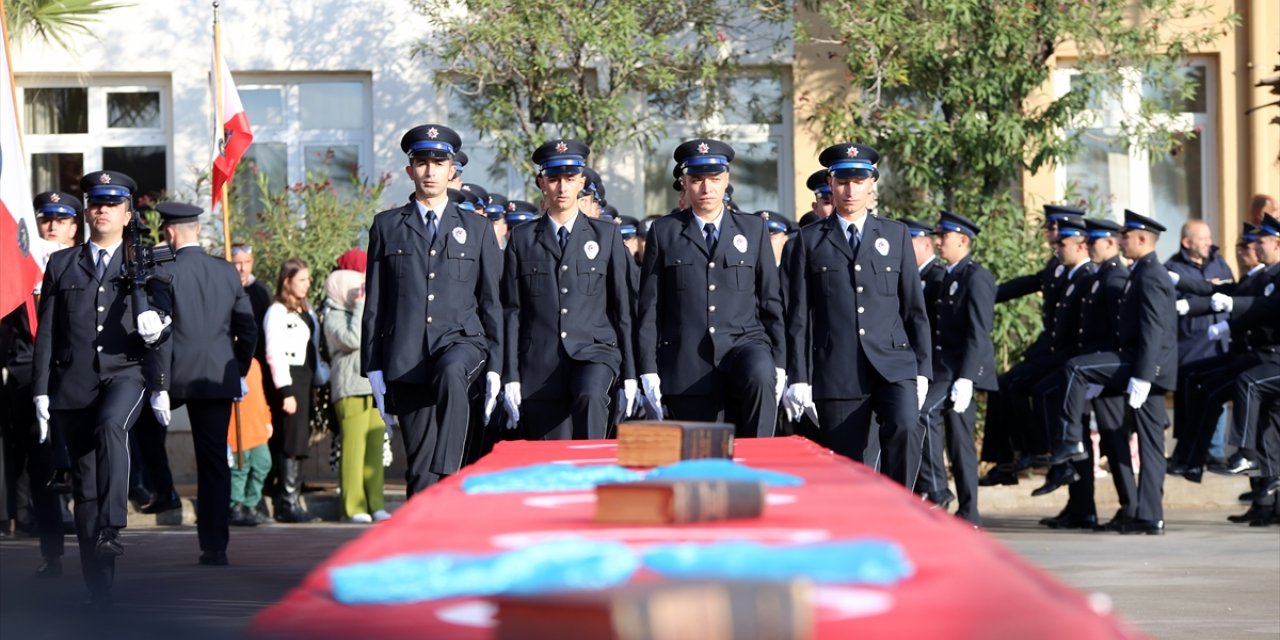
pixel 964 360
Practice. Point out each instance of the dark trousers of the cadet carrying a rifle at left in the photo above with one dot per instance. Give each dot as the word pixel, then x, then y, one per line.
pixel 98 442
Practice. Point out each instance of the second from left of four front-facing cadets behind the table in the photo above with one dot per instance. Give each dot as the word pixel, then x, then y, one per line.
pixel 568 310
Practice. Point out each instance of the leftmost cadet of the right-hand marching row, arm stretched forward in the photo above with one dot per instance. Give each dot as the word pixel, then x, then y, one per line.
pixel 1007 440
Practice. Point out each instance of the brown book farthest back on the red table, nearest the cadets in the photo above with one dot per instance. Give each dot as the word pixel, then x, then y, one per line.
pixel 651 444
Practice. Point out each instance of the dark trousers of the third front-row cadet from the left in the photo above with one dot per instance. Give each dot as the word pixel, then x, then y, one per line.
pixel 746 380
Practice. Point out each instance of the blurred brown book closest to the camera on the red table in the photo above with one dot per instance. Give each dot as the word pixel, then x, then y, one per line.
pixel 664 611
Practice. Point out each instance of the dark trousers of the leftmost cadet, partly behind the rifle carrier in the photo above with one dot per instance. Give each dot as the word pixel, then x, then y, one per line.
pixel 24 452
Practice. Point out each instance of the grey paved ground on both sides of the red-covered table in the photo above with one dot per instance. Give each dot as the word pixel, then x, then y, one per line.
pixel 1205 579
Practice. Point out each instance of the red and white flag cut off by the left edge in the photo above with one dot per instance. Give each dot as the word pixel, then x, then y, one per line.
pixel 21 260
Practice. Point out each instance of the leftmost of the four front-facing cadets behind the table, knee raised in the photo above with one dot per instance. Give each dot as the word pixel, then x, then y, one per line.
pixel 433 318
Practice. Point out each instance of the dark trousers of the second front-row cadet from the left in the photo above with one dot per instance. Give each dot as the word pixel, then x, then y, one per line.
pixel 582 414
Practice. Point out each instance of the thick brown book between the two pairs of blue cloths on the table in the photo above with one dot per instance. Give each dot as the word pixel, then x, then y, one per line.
pixel 678 501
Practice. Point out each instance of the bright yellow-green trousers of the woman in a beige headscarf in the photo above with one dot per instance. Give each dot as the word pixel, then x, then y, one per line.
pixel 362 467
